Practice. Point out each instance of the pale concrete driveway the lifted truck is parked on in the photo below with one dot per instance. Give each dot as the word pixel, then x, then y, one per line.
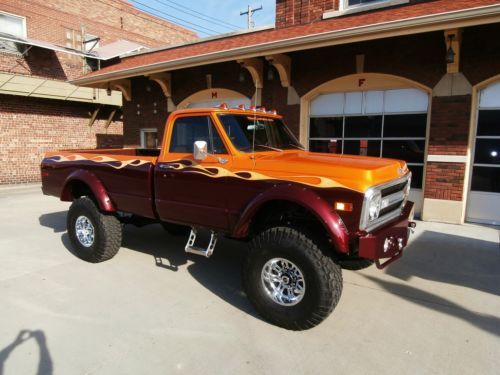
pixel 153 309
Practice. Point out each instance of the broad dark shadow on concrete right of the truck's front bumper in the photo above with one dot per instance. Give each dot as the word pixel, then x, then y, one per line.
pixel 451 259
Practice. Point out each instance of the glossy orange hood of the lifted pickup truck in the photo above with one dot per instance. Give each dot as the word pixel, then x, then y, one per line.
pixel 330 170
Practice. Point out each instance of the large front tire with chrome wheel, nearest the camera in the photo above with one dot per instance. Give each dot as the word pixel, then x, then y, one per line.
pixel 289 280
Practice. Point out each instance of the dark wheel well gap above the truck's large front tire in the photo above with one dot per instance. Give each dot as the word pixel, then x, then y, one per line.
pixel 290 214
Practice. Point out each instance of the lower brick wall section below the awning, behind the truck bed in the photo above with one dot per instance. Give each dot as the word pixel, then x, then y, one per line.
pixel 31 126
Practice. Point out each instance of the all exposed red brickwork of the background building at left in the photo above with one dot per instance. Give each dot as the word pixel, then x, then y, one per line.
pixel 30 126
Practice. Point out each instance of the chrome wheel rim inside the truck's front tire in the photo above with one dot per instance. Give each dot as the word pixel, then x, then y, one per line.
pixel 283 281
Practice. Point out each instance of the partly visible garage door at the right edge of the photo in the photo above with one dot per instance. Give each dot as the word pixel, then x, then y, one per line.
pixel 484 197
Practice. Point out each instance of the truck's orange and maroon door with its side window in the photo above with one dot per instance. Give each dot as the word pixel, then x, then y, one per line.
pixel 190 191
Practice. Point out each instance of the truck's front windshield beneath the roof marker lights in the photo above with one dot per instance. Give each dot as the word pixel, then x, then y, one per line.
pixel 270 133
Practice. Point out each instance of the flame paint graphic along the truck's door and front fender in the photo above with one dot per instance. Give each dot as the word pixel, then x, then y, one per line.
pixel 218 172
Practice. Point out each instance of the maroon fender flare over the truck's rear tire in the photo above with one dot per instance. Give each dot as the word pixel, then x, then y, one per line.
pixel 94 184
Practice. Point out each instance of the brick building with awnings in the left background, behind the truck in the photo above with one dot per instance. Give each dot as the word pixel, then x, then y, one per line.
pixel 45 43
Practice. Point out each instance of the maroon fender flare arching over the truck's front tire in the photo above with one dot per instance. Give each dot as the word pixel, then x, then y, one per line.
pixel 304 197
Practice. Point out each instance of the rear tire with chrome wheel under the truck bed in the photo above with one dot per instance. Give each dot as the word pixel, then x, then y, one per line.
pixel 95 236
